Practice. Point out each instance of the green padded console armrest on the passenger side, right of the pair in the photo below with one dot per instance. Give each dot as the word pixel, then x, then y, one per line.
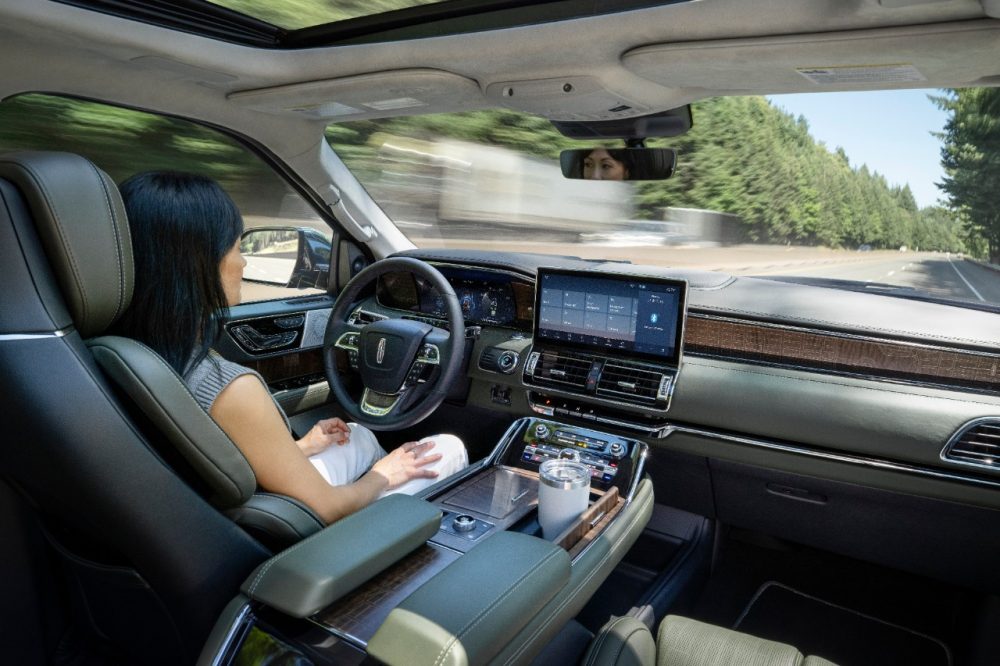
pixel 469 611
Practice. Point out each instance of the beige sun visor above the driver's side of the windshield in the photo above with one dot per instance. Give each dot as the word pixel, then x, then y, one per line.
pixel 375 95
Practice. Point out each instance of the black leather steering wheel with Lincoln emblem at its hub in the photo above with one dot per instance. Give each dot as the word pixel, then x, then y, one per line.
pixel 406 366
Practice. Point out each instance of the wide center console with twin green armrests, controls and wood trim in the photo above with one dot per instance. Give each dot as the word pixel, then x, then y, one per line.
pixel 352 591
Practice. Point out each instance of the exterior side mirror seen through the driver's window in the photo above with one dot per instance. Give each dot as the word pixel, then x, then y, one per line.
pixel 293 257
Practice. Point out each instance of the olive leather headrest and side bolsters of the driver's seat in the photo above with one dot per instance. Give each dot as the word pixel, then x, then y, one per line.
pixel 80 221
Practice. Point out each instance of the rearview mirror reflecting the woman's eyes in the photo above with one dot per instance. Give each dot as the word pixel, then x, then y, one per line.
pixel 602 163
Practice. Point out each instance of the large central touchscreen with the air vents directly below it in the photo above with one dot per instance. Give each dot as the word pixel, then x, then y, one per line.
pixel 607 347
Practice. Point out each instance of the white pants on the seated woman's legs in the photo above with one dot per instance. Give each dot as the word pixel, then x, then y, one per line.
pixel 341 464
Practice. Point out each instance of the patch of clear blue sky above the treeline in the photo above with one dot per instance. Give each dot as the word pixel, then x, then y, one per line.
pixel 887 130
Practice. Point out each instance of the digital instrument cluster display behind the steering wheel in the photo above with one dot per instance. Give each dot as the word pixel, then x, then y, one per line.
pixel 489 298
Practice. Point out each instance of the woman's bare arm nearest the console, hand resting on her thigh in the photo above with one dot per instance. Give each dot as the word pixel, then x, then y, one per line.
pixel 246 412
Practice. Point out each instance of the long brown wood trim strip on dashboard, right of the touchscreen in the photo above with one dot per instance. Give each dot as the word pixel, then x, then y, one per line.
pixel 758 342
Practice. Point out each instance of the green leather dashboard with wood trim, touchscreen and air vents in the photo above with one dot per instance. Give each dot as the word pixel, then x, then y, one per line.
pixel 749 363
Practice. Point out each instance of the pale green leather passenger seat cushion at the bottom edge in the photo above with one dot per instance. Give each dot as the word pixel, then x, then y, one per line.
pixel 681 641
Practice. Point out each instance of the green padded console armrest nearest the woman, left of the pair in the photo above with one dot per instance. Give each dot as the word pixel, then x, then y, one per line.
pixel 319 570
